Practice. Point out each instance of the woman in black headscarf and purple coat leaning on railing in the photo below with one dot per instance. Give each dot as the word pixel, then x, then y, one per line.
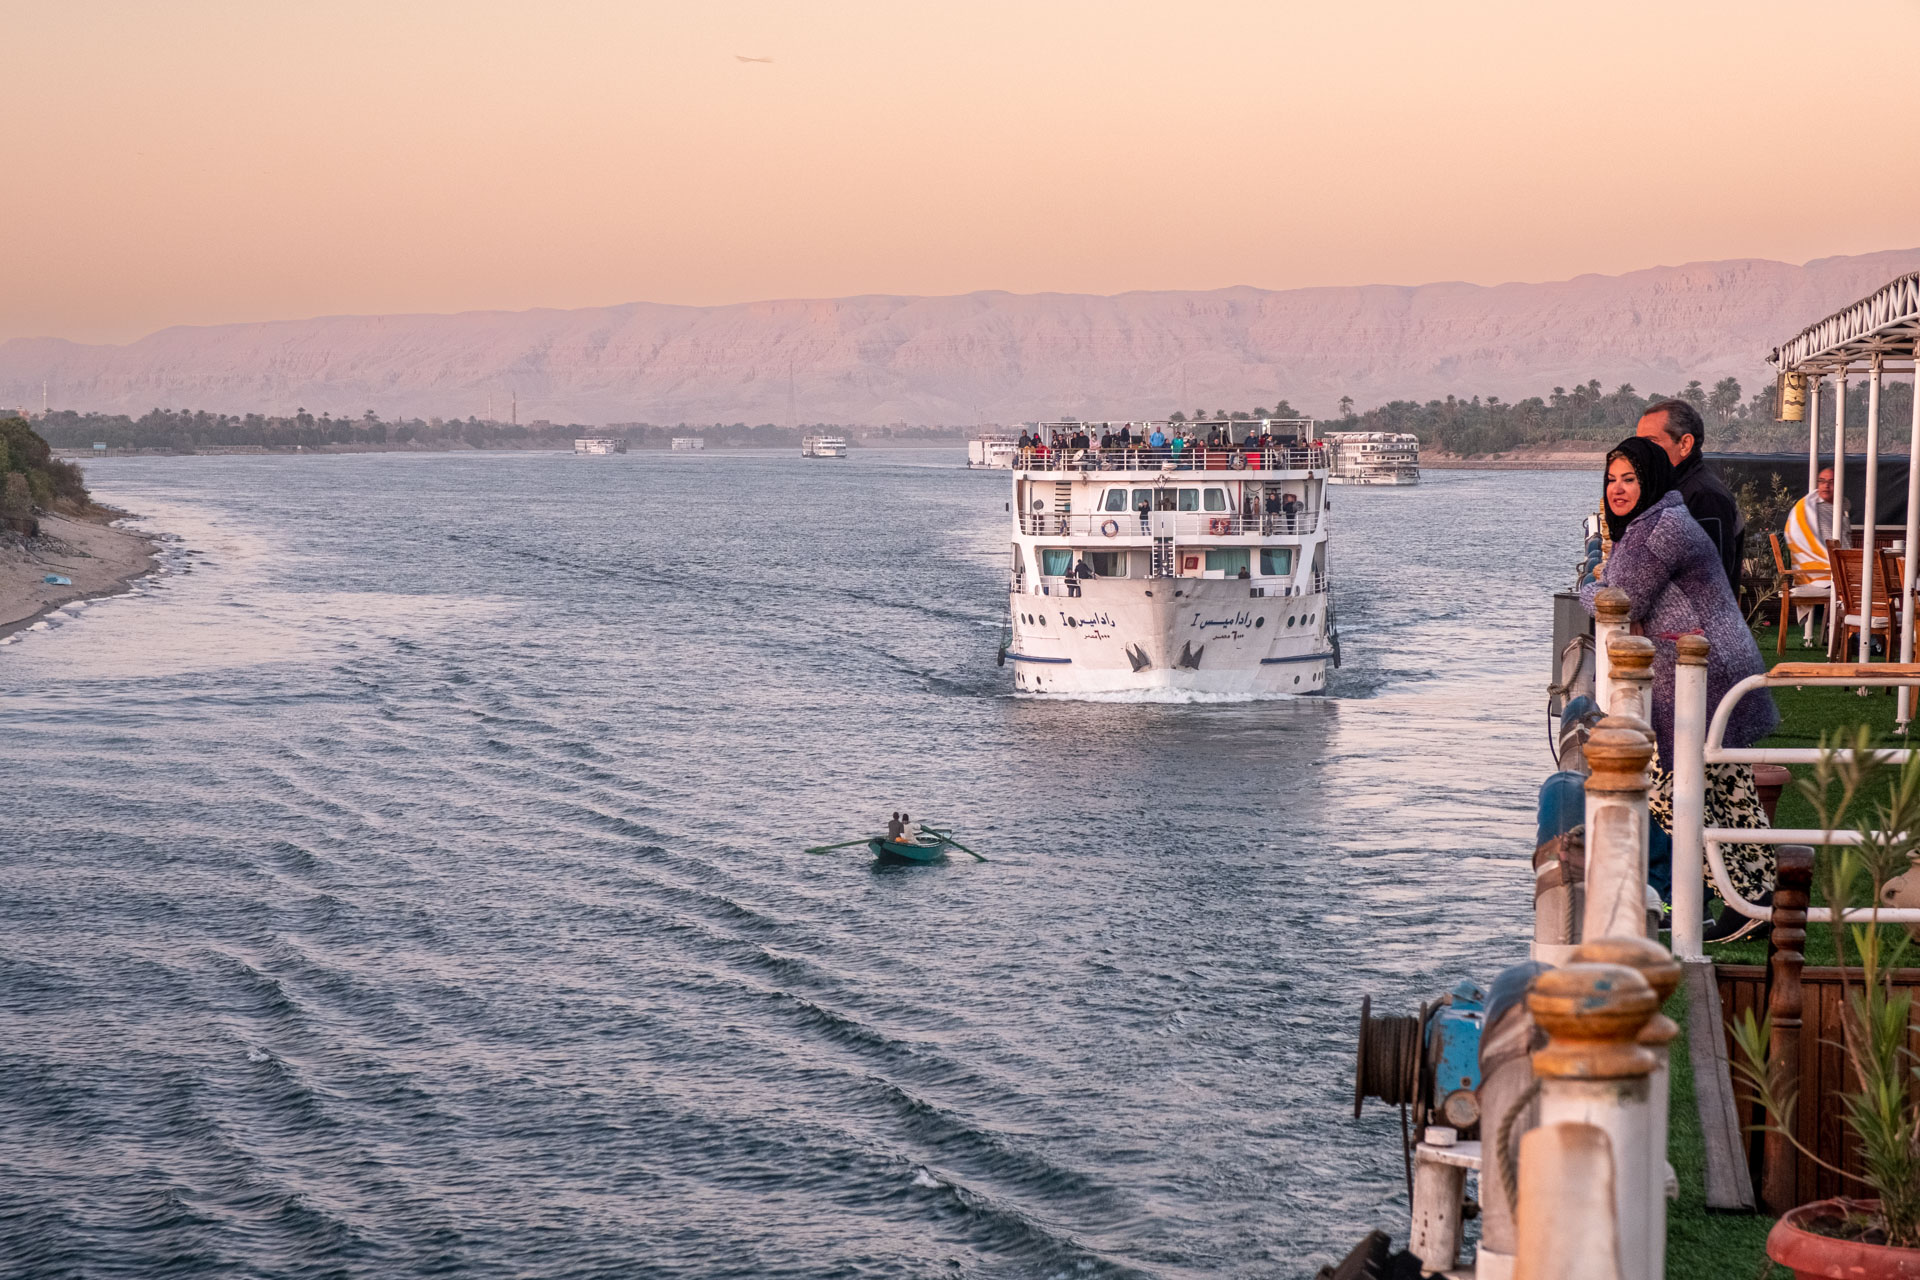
pixel 1677 586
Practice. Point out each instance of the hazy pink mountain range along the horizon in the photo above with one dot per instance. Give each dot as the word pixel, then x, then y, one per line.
pixel 978 358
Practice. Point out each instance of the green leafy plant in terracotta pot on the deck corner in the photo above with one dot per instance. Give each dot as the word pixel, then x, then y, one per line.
pixel 1881 1233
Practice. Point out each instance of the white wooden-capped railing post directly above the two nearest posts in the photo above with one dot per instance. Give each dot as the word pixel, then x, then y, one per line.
pixel 1618 753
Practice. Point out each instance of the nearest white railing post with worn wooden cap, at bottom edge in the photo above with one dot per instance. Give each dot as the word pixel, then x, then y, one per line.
pixel 1585 1168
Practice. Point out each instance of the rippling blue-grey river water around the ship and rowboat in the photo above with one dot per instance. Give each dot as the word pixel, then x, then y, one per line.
pixel 410 882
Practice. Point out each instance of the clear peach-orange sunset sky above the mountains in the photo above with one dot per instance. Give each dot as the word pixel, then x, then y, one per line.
pixel 201 162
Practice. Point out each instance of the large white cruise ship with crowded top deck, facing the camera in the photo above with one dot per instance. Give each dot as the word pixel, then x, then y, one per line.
pixel 1195 569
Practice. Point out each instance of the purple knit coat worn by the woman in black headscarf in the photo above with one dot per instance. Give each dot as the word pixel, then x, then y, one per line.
pixel 1677 586
